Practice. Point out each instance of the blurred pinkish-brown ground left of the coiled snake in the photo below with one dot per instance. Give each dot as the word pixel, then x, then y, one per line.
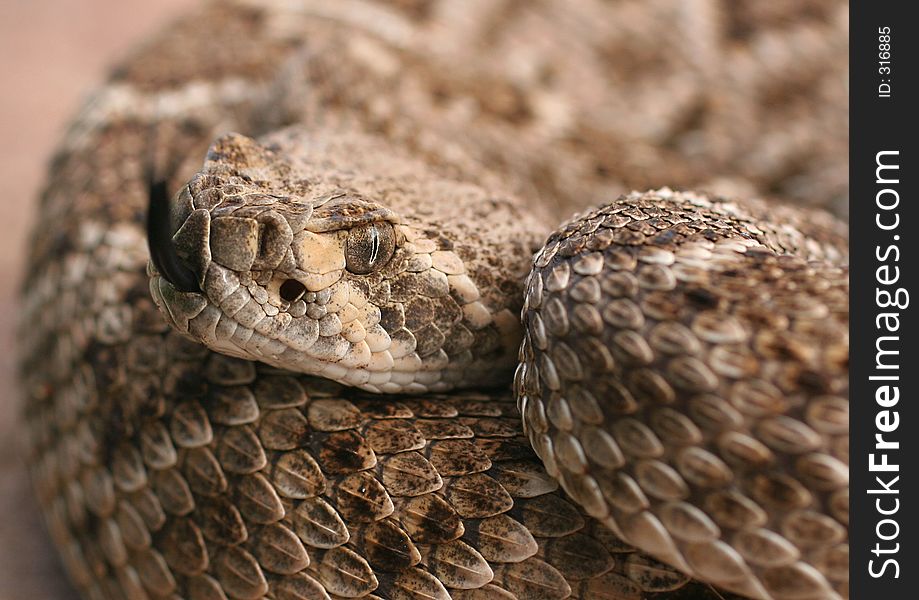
pixel 51 53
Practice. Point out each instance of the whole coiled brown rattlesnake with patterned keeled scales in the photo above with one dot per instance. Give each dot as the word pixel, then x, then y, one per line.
pixel 683 370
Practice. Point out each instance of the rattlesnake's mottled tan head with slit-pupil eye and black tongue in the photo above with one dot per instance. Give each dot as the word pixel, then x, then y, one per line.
pixel 294 261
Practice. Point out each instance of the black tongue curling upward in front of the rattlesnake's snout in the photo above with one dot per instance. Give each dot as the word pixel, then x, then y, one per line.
pixel 159 240
